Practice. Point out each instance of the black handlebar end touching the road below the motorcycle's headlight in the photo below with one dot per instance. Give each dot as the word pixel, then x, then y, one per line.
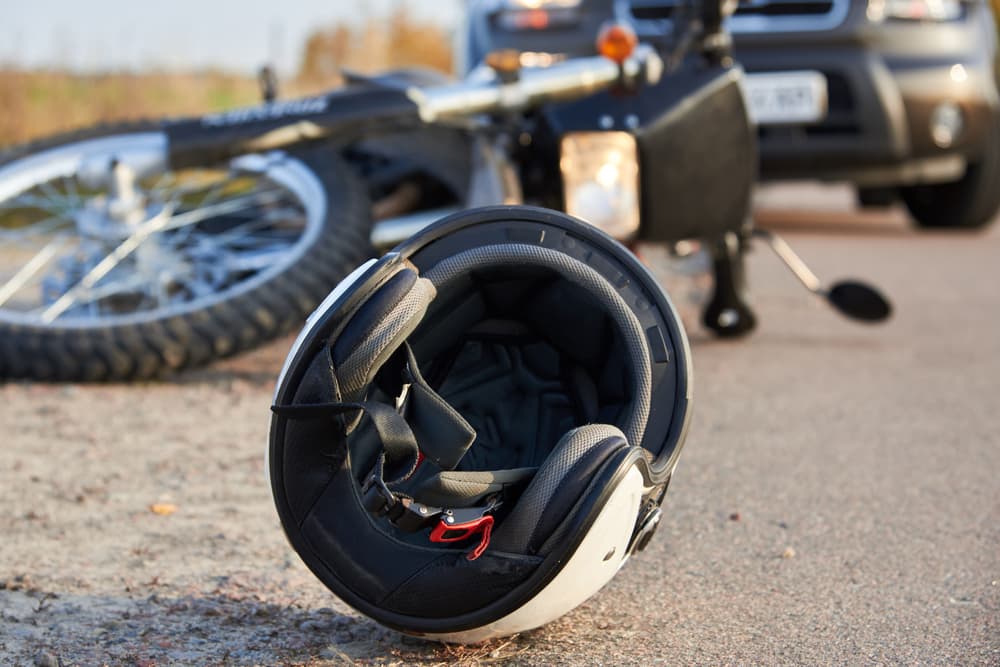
pixel 728 313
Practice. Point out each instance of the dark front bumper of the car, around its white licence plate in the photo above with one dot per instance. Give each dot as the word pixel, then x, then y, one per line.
pixel 878 126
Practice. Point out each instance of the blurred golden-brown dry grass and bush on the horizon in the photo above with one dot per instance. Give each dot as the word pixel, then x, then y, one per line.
pixel 39 103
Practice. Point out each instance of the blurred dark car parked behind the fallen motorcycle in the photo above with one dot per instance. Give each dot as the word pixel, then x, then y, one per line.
pixel 898 97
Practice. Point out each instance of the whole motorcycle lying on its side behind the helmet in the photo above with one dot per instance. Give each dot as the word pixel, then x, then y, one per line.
pixel 131 251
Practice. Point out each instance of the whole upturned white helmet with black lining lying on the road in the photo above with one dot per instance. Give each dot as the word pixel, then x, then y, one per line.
pixel 473 433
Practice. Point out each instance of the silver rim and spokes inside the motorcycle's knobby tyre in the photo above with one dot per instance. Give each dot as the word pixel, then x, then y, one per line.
pixel 101 232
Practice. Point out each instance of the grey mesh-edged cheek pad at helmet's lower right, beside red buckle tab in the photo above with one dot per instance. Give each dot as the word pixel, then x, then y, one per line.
pixel 556 488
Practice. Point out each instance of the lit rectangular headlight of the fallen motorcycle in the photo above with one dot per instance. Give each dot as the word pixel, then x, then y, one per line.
pixel 600 172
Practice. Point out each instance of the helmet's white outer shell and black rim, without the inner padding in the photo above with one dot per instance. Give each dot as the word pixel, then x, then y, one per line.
pixel 367 564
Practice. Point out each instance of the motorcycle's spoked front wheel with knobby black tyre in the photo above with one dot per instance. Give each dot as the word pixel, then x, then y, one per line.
pixel 113 266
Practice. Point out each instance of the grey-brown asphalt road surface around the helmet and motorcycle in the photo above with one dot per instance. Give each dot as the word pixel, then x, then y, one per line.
pixel 838 500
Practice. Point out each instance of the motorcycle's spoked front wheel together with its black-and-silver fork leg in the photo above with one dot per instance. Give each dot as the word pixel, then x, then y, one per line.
pixel 129 251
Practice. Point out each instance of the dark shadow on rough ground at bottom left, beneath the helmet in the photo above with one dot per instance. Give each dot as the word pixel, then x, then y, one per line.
pixel 46 627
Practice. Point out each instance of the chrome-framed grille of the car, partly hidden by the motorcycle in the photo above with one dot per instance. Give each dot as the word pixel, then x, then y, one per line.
pixel 750 15
